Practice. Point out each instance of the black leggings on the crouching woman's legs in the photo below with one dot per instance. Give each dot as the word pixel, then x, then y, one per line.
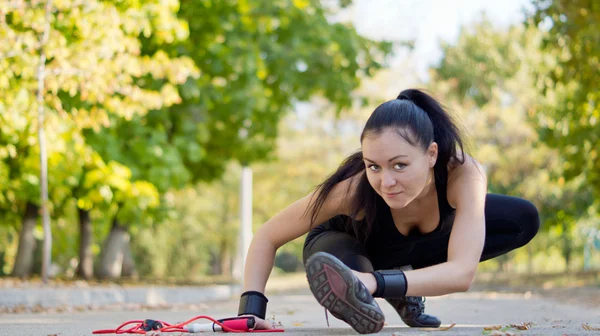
pixel 510 223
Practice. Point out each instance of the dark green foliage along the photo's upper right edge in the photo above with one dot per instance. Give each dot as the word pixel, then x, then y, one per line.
pixel 570 120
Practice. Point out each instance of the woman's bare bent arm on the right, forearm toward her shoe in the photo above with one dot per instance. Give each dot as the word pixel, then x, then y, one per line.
pixel 467 189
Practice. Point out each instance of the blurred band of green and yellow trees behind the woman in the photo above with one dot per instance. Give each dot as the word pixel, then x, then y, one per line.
pixel 152 107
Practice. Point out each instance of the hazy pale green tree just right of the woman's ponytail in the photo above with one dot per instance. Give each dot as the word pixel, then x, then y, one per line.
pixel 490 76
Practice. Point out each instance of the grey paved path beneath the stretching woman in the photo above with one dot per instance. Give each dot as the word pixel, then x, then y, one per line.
pixel 301 315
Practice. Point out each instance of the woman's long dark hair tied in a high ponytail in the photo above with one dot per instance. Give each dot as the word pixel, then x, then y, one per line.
pixel 418 118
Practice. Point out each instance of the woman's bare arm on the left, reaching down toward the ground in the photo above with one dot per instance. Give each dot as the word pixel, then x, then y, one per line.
pixel 286 226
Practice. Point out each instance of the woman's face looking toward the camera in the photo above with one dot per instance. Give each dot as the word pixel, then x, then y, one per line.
pixel 397 170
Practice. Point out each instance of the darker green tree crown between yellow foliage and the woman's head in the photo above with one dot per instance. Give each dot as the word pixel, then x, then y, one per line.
pixel 232 110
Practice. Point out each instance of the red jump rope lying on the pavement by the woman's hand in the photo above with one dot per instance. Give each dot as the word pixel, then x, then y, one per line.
pixel 235 324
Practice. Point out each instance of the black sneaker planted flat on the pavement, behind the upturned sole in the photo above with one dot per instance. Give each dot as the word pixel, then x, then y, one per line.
pixel 412 311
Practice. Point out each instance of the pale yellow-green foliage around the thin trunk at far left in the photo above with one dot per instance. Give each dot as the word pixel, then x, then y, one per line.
pixel 94 69
